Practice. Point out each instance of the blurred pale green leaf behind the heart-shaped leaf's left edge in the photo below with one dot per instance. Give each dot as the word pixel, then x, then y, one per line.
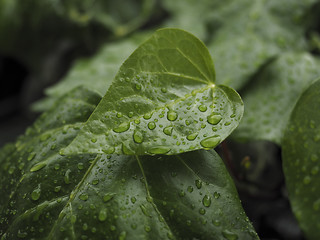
pixel 102 68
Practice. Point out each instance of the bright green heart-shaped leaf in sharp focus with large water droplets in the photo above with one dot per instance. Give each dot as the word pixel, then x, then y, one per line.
pixel 162 101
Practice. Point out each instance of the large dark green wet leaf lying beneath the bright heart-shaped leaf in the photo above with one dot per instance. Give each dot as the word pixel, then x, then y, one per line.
pixel 97 196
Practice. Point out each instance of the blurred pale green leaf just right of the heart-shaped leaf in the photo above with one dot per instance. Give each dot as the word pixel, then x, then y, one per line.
pixel 272 94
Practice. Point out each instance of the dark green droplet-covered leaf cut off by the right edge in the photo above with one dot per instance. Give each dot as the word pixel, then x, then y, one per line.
pixel 301 161
